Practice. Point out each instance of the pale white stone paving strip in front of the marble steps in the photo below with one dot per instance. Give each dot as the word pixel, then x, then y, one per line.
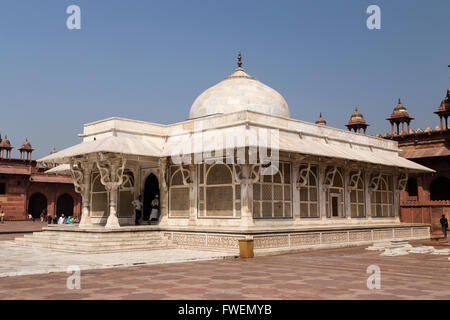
pixel 16 261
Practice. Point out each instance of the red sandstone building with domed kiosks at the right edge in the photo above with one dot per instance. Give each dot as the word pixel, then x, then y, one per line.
pixel 427 195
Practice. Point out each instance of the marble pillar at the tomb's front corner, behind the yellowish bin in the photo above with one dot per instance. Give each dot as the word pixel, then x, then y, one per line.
pixel 246 175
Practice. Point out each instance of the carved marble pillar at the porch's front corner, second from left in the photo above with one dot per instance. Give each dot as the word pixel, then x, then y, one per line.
pixel 111 176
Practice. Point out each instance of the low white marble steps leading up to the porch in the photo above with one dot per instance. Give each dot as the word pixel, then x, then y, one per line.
pixel 94 242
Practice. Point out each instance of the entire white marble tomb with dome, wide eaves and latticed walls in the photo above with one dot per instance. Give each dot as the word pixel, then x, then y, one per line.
pixel 240 166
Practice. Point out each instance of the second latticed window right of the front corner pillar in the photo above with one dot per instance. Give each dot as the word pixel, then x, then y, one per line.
pixel 309 195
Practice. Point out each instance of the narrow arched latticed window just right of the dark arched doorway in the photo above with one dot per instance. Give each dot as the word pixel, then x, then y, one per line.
pixel 179 202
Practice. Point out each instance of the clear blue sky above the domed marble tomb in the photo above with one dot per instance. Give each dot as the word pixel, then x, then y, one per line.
pixel 149 60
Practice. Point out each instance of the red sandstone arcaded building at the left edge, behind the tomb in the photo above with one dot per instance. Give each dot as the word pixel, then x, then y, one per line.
pixel 25 188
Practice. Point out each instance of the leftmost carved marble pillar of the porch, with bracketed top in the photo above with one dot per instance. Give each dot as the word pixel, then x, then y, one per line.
pixel 81 176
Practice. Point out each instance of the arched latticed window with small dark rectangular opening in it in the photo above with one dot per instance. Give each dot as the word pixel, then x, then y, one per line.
pixel 335 195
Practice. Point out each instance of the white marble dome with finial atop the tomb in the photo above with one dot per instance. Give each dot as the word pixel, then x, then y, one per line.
pixel 239 92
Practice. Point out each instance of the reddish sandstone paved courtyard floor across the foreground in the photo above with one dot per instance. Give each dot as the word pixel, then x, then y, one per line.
pixel 325 274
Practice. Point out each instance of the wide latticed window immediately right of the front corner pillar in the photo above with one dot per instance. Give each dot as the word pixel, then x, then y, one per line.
pixel 272 195
